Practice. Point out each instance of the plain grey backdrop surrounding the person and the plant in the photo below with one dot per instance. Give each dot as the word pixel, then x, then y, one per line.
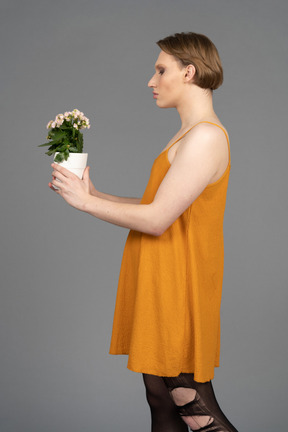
pixel 59 267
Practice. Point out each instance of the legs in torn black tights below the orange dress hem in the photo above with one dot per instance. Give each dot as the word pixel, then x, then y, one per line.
pixel 181 401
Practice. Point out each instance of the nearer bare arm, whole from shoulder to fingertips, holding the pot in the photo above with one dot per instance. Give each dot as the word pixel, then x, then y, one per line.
pixel 197 161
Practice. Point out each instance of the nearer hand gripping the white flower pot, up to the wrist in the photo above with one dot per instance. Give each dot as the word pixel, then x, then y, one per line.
pixel 75 192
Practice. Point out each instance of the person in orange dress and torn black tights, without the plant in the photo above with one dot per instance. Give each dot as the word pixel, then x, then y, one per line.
pixel 167 313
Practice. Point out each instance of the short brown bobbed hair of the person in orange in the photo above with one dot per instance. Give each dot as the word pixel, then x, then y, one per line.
pixel 198 50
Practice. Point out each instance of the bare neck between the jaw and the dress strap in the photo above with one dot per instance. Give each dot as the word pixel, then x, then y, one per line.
pixel 198 106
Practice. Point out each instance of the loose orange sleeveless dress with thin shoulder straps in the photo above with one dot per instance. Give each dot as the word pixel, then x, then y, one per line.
pixel 167 313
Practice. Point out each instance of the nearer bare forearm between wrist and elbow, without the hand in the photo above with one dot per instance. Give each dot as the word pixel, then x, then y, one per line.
pixel 127 215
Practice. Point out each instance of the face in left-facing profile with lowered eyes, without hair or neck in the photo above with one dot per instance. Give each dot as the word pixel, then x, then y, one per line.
pixel 168 81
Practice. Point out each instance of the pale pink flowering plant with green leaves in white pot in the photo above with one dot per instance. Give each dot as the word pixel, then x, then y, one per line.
pixel 66 140
